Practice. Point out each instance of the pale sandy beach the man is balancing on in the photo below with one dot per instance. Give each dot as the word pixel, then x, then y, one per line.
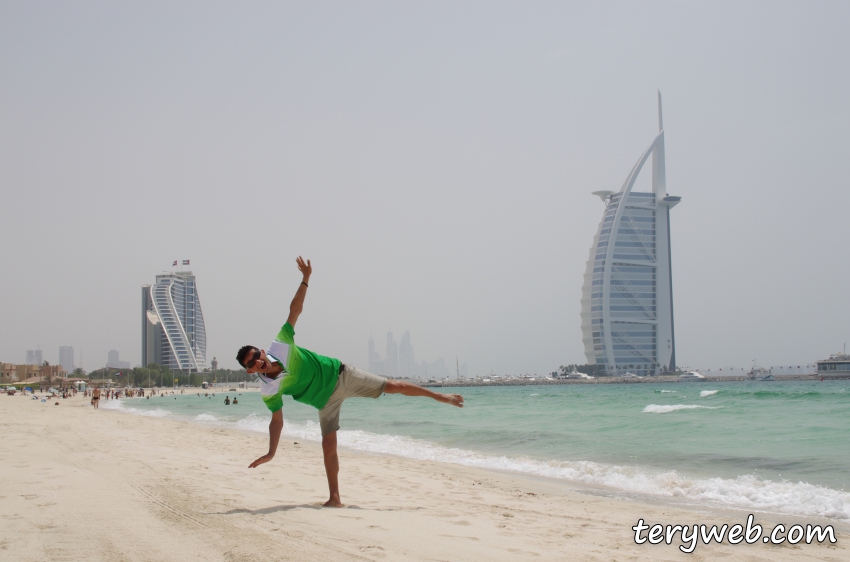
pixel 80 484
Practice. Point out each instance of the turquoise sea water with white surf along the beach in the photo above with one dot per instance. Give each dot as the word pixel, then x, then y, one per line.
pixel 781 447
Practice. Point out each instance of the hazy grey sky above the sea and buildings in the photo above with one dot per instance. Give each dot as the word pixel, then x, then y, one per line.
pixel 434 160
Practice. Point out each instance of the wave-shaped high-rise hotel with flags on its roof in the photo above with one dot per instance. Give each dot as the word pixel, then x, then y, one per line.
pixel 173 332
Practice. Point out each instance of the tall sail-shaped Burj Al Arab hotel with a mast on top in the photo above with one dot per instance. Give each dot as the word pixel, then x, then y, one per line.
pixel 627 296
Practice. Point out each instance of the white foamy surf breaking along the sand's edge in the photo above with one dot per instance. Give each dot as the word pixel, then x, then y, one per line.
pixel 653 484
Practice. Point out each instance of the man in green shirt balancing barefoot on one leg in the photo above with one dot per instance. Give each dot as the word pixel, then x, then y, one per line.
pixel 323 382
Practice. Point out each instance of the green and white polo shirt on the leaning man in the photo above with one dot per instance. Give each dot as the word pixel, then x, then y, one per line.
pixel 307 377
